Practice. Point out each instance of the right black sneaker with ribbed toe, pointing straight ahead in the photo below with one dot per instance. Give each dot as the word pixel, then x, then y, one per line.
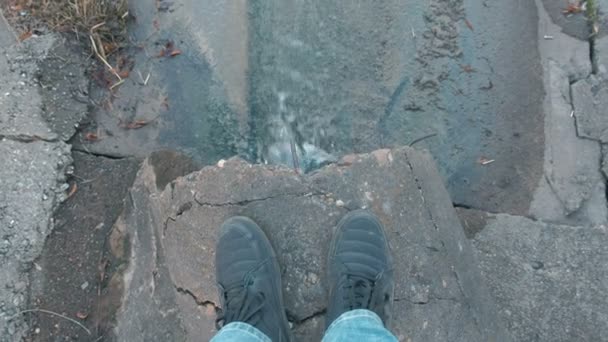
pixel 360 268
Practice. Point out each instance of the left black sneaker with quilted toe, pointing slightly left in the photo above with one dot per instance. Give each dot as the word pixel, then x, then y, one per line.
pixel 249 279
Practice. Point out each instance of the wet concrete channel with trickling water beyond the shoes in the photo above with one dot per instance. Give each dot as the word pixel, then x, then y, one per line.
pixel 266 80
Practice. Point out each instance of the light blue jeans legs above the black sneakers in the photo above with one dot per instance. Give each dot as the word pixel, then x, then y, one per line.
pixel 351 326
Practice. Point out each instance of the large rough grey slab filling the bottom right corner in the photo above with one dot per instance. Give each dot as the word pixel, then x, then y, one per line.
pixel 550 281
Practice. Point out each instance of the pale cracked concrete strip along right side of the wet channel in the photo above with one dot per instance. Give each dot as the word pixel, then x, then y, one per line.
pixel 571 189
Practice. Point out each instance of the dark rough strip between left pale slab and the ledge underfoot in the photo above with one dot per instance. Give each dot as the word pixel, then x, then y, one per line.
pixel 75 269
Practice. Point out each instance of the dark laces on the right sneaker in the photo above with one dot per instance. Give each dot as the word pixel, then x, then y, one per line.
pixel 358 291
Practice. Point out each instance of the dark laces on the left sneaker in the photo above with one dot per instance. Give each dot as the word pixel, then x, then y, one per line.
pixel 241 305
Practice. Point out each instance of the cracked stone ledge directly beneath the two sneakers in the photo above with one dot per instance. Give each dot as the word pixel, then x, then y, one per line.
pixel 439 294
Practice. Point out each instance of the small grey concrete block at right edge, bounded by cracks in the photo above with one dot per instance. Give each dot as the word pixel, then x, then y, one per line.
pixel 590 101
